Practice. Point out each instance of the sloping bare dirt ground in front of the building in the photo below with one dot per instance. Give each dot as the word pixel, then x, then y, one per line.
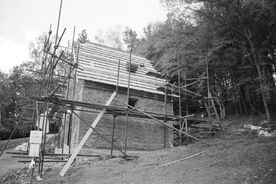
pixel 231 158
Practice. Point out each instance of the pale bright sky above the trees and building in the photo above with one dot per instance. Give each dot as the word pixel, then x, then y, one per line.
pixel 21 21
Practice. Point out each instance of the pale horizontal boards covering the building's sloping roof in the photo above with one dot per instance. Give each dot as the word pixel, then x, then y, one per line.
pixel 100 64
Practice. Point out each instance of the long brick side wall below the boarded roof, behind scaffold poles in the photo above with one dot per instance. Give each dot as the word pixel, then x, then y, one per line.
pixel 143 134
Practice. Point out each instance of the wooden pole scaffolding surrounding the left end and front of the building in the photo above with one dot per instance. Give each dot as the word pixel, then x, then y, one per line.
pixel 56 103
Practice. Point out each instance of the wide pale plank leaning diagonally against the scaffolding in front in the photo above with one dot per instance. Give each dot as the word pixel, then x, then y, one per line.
pixel 86 136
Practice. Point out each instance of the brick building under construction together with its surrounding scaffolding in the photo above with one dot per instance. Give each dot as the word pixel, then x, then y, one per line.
pixel 100 97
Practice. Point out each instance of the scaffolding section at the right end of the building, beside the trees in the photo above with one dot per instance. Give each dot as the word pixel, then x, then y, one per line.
pixel 180 88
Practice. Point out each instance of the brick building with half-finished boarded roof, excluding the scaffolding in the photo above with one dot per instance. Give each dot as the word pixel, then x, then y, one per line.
pixel 104 69
